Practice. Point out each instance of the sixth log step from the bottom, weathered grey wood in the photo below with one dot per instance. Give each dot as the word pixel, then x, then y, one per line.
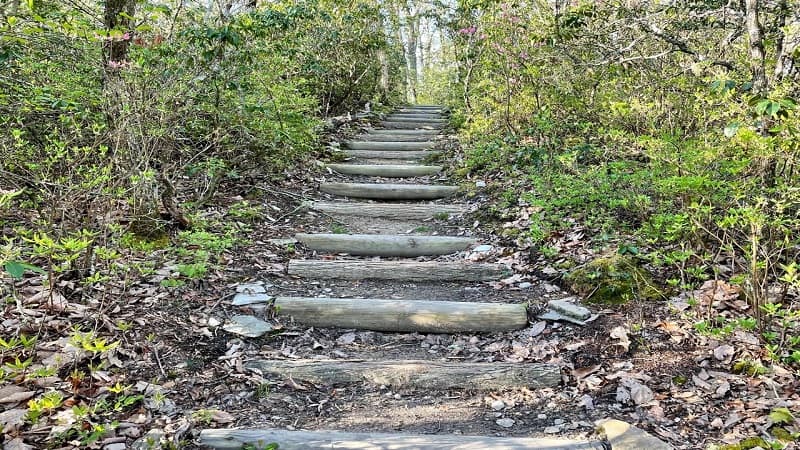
pixel 401 211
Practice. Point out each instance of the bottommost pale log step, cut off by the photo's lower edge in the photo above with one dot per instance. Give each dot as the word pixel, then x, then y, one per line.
pixel 236 439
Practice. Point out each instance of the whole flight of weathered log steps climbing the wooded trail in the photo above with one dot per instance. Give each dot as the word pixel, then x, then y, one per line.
pixel 397 149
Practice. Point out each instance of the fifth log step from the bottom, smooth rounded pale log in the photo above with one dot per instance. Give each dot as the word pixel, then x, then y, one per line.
pixel 385 245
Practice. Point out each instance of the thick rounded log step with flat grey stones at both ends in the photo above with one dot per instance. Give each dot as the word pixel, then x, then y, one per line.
pixel 403 316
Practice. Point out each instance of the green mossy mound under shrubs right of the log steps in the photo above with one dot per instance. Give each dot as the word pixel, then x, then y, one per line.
pixel 613 279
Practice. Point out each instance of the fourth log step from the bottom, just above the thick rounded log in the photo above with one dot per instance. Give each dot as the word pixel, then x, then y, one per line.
pixel 397 270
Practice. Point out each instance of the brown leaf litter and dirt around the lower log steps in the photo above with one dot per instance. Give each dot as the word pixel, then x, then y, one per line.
pixel 641 362
